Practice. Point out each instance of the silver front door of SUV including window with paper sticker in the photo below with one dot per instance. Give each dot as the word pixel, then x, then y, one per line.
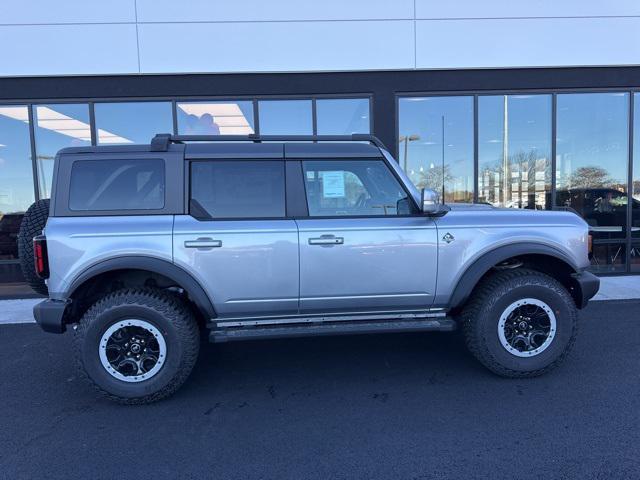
pixel 364 245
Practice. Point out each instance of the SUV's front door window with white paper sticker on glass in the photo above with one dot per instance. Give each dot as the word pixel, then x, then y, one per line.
pixel 353 188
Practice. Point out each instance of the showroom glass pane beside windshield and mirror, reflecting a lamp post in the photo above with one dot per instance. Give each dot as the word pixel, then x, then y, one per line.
pixel 436 144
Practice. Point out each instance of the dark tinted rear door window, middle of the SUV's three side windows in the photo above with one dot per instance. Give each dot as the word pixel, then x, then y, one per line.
pixel 237 189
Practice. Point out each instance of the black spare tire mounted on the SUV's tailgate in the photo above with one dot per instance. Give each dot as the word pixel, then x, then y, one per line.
pixel 32 225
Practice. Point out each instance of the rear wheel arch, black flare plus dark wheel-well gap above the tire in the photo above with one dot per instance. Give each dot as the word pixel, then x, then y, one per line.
pixel 155 268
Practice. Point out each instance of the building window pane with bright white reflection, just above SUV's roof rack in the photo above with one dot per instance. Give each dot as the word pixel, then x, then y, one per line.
pixel 215 118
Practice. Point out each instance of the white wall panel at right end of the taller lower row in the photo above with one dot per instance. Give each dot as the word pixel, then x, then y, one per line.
pixel 527 42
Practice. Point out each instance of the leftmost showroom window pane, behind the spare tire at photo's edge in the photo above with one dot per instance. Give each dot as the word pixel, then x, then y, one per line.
pixel 16 176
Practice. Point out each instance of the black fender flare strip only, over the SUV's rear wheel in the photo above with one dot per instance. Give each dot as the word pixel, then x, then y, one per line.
pixel 152 264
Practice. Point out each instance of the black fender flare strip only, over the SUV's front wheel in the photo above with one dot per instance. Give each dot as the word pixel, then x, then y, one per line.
pixel 488 260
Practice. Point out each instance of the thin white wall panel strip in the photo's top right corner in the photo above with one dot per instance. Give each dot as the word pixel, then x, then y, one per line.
pixel 426 9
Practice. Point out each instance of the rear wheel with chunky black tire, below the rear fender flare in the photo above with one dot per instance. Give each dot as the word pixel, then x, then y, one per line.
pixel 137 346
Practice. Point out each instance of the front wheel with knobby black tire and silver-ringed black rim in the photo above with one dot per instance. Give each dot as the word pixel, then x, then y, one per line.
pixel 520 323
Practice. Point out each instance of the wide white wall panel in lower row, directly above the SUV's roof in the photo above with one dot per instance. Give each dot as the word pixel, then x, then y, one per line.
pixel 286 46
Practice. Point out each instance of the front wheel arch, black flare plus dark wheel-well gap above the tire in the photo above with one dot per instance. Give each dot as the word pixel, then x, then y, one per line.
pixel 535 256
